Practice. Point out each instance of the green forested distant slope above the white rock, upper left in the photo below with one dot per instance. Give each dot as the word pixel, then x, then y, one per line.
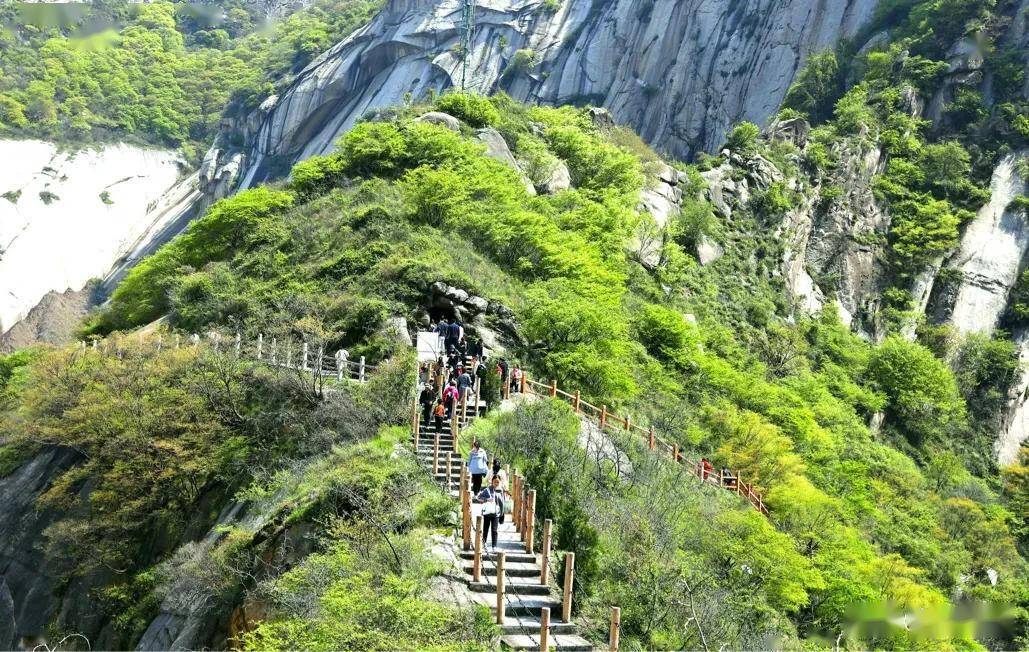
pixel 161 74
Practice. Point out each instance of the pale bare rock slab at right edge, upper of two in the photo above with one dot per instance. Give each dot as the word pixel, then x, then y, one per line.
pixel 991 255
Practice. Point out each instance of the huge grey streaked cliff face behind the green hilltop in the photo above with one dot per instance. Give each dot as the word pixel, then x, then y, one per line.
pixel 680 73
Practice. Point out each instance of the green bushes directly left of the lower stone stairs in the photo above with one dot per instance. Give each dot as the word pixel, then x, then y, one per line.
pixel 370 590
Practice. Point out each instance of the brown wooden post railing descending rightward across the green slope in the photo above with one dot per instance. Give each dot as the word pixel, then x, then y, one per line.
pixel 733 483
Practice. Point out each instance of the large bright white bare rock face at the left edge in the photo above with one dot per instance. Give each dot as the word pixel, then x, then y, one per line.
pixel 77 237
